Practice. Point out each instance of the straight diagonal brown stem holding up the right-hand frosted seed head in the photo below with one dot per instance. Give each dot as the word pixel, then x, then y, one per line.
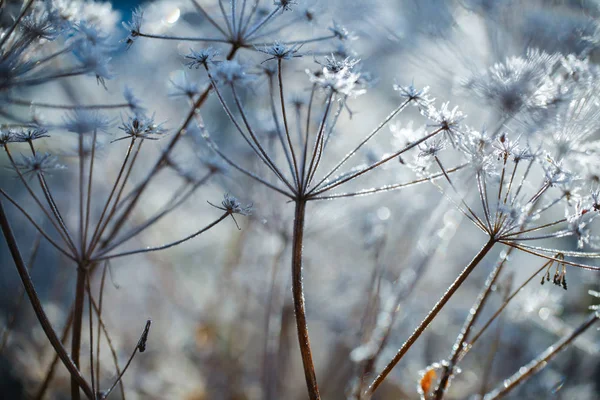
pixel 431 315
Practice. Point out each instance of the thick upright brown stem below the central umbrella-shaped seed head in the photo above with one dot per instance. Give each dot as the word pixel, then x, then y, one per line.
pixel 298 294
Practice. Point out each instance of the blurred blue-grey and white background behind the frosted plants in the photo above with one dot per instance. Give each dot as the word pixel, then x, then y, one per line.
pixel 223 324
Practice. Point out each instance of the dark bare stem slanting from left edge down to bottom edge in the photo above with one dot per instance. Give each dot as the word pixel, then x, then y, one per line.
pixel 76 376
